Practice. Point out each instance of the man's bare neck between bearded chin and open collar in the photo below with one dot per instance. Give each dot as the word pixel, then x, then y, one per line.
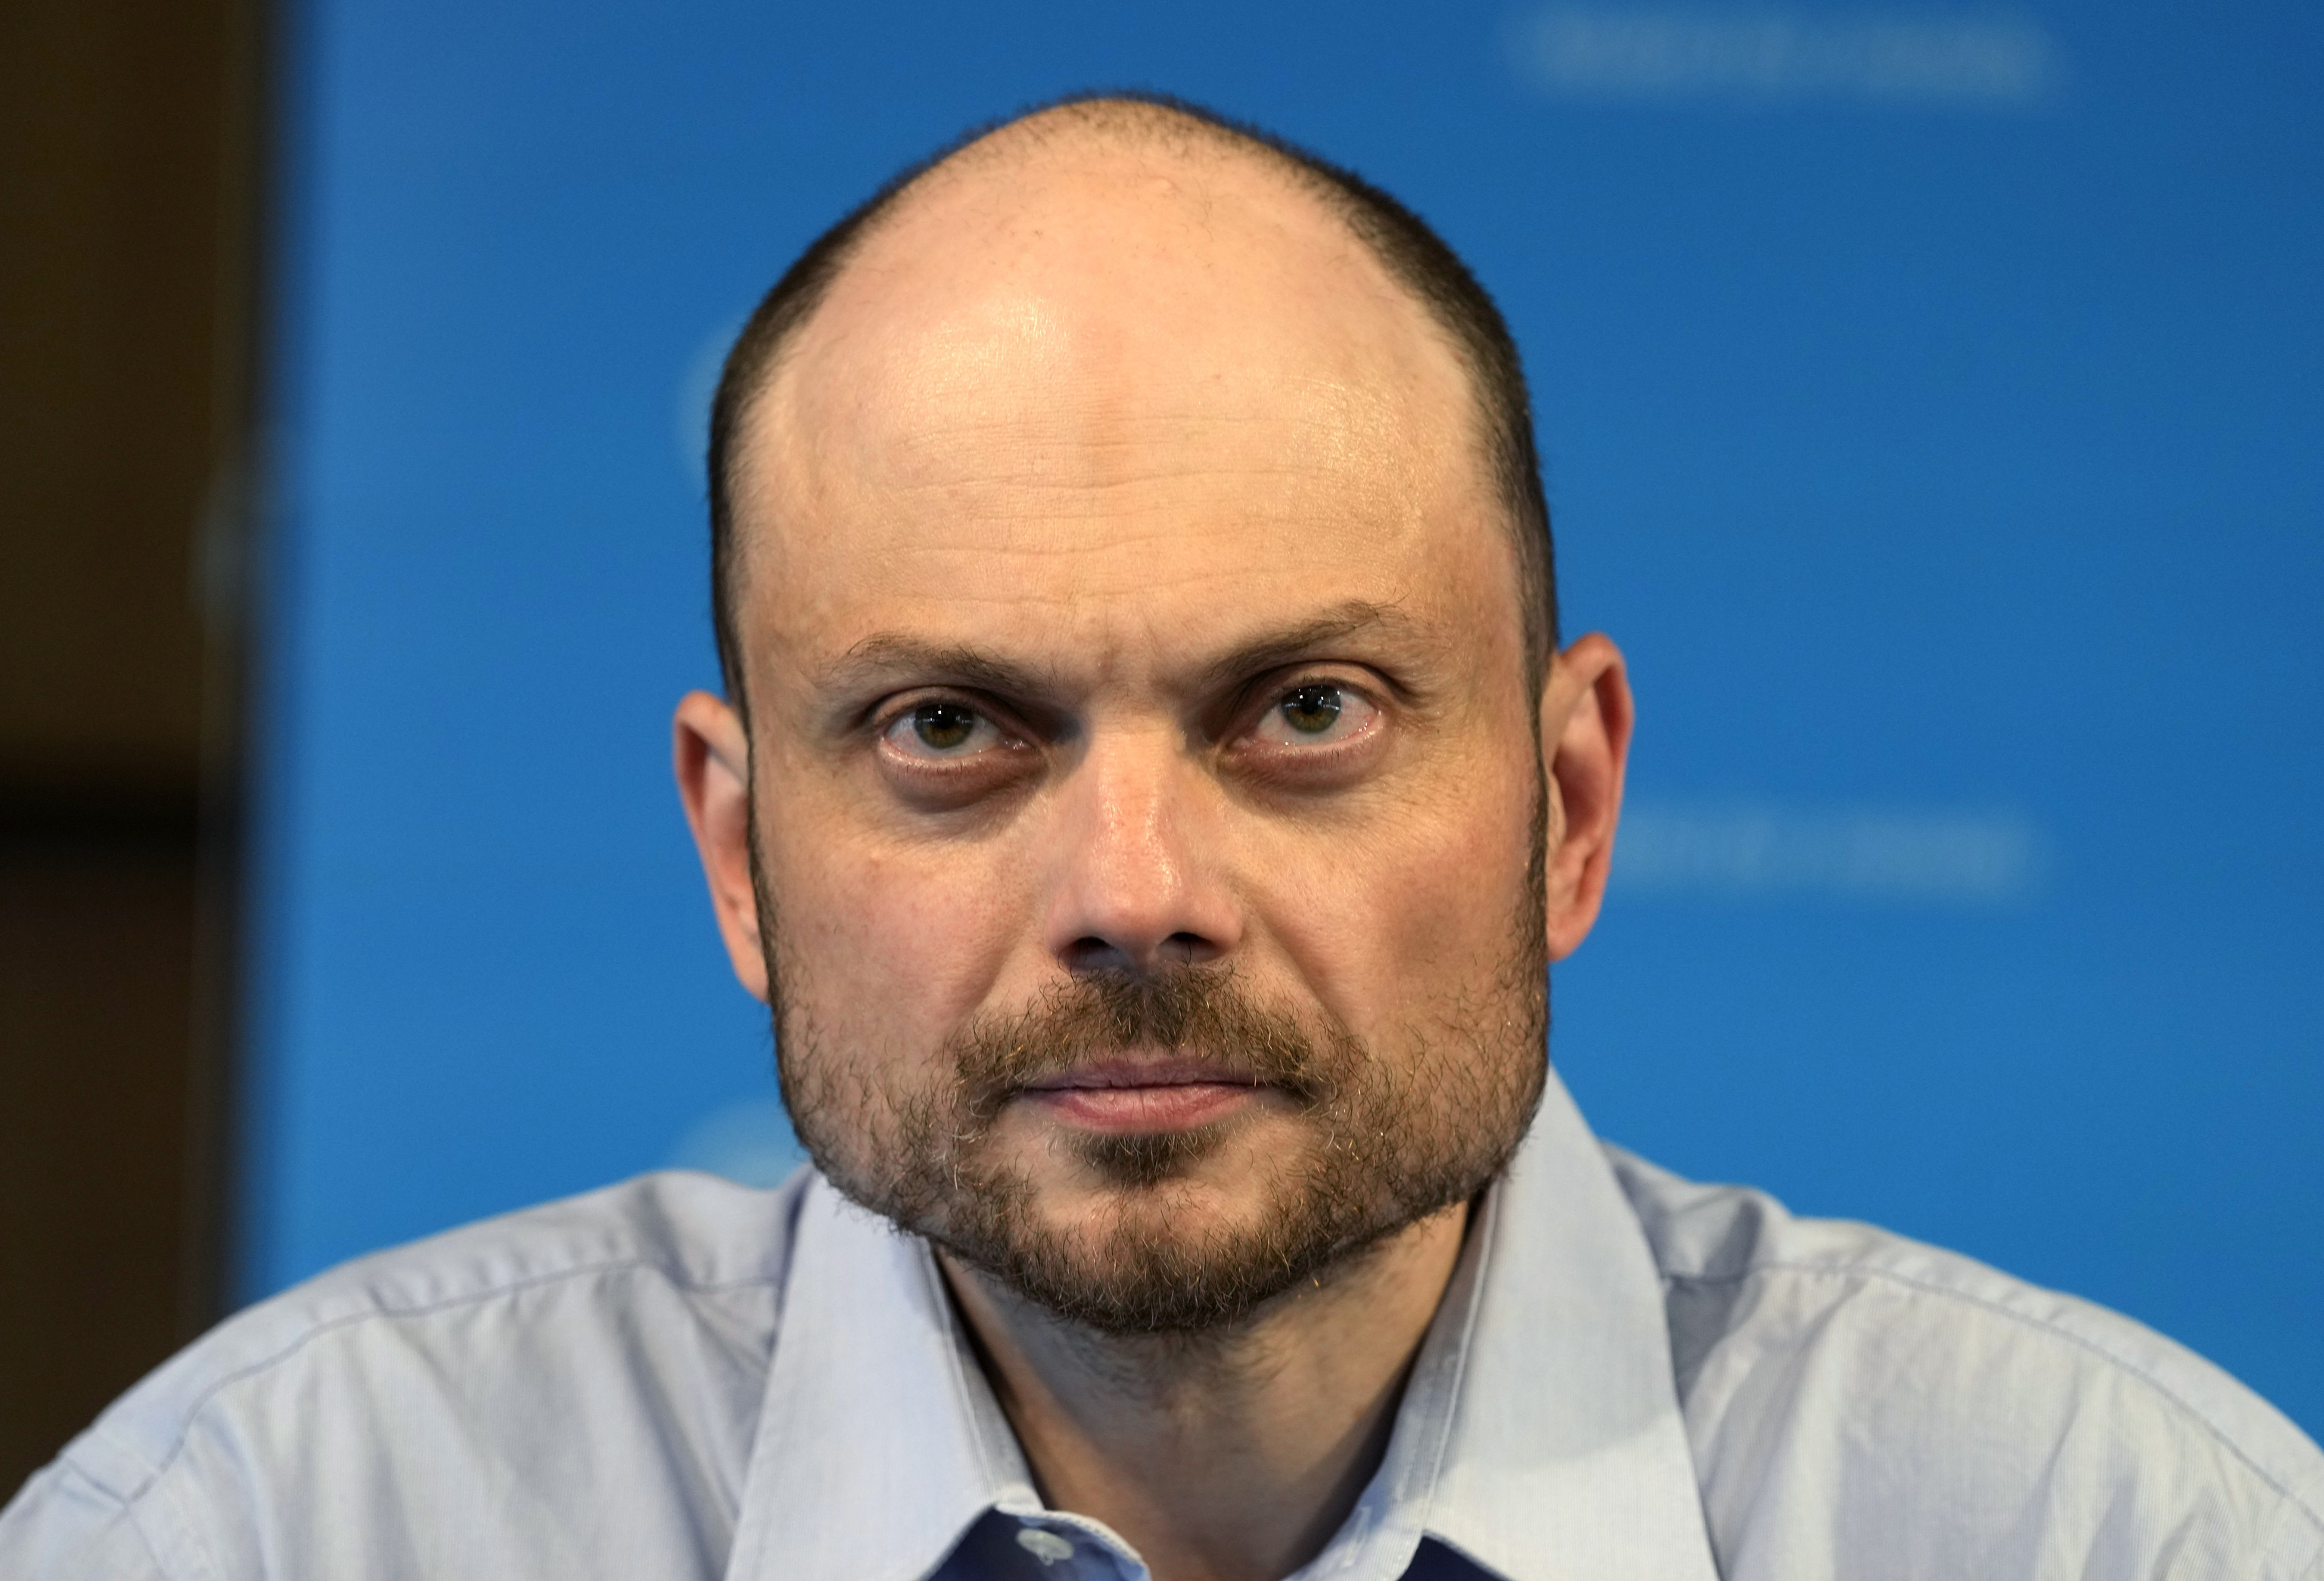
pixel 1224 1457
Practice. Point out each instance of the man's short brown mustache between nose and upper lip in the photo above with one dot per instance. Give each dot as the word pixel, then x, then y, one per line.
pixel 1200 1013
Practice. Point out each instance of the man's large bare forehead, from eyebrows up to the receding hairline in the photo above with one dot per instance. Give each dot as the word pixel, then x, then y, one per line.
pixel 1126 389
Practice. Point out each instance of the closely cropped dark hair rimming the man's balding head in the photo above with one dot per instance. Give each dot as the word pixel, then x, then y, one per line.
pixel 1405 245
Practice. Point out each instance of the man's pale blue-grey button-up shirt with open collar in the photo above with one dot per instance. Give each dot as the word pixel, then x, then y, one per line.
pixel 1628 1380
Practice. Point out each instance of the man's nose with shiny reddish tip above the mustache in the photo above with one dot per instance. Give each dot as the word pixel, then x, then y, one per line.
pixel 1140 880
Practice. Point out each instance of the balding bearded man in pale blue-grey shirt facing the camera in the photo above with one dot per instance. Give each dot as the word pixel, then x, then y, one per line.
pixel 1149 796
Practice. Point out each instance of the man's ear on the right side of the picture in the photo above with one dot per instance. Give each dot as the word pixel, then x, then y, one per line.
pixel 1586 715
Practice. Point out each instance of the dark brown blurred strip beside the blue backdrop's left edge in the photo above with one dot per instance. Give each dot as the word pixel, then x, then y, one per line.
pixel 131 157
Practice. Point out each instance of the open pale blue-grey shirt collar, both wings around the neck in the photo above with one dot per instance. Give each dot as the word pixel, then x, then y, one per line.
pixel 1540 1431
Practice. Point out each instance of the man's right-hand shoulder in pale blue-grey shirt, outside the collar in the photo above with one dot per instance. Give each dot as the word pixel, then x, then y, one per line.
pixel 1849 1389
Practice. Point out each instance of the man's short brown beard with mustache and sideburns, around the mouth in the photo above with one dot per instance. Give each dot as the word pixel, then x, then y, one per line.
pixel 1386 1138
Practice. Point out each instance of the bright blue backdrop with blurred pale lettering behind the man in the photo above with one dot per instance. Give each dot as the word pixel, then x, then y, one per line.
pixel 1932 410
